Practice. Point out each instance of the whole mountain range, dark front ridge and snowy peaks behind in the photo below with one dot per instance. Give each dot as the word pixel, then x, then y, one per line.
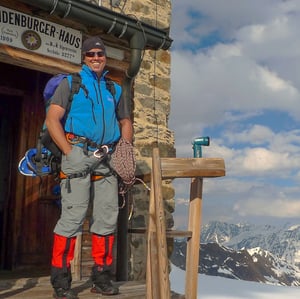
pixel 265 254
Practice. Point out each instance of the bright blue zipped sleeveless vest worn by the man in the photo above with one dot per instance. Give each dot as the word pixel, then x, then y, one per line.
pixel 93 115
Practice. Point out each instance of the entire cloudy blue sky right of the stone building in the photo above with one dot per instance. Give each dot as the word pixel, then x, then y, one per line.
pixel 235 77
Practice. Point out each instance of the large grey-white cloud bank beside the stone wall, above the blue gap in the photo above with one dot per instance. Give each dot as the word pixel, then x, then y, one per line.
pixel 221 80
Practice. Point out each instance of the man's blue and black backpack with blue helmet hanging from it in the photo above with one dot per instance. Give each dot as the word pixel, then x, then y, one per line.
pixel 46 157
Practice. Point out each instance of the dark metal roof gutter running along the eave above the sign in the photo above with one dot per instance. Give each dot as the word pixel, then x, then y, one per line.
pixel 112 22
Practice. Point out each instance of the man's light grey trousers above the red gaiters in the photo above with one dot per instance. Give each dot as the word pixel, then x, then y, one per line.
pixel 103 194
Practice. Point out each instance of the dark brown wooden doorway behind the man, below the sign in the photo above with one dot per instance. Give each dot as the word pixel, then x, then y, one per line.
pixel 28 211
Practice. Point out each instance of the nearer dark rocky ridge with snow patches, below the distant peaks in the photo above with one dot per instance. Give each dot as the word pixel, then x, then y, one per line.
pixel 251 265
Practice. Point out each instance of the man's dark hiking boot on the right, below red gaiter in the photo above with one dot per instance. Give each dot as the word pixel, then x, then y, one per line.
pixel 102 283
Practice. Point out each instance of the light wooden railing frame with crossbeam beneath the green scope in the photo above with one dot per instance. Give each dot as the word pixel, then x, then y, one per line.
pixel 157 275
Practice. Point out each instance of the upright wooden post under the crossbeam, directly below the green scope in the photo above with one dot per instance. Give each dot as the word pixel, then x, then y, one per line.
pixel 193 244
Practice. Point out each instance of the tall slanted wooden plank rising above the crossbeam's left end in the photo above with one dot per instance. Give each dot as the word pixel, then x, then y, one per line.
pixel 163 266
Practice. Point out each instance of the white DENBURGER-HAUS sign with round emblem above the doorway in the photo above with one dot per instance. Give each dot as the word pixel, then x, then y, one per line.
pixel 30 33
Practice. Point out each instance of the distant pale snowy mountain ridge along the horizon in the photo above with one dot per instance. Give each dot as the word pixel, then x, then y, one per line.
pixel 283 242
